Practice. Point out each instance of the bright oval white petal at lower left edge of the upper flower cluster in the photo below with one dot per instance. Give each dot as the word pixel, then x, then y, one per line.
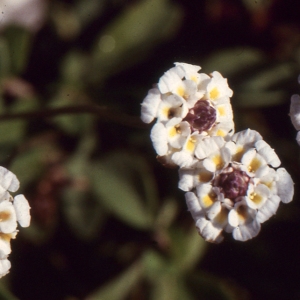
pixel 159 139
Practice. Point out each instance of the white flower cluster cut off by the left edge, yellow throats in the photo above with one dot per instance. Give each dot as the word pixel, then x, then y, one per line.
pixel 12 211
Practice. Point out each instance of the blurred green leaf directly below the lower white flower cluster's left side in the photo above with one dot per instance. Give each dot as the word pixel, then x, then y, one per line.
pixel 187 248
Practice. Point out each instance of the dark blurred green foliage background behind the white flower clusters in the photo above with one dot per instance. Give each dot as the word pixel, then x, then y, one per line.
pixel 108 221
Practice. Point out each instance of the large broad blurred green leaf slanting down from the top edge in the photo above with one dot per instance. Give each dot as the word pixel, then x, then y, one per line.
pixel 136 31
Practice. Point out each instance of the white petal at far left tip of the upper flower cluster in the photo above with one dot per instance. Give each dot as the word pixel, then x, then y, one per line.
pixel 150 106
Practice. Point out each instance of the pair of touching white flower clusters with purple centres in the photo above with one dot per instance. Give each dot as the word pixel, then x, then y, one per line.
pixel 231 181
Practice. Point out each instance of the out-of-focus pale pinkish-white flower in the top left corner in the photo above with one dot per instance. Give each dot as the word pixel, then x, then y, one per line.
pixel 27 13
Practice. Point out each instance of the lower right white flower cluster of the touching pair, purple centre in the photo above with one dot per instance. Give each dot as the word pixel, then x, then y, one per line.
pixel 244 185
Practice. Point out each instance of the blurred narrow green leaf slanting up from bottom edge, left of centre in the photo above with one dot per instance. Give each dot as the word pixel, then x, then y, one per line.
pixel 119 288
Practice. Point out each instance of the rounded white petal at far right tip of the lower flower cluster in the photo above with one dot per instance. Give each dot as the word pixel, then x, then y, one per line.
pixel 285 186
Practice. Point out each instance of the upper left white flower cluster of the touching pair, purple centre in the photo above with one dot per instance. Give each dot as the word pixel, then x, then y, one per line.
pixel 189 106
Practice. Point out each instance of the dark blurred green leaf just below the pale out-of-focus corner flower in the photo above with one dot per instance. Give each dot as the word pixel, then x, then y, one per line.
pixel 19 42
